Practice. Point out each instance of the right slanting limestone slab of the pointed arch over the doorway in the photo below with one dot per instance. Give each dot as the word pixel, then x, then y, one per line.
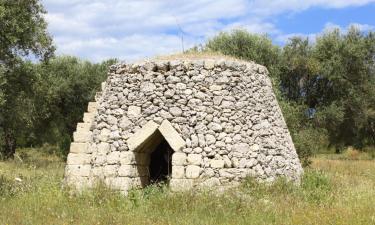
pixel 171 136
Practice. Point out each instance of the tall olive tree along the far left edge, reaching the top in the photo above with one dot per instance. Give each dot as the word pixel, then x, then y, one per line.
pixel 23 32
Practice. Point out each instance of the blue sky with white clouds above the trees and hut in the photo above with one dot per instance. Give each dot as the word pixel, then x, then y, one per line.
pixel 131 30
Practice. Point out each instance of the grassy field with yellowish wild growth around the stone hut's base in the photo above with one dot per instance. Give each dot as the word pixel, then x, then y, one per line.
pixel 333 191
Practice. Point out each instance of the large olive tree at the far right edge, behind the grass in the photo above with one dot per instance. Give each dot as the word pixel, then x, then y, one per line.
pixel 347 62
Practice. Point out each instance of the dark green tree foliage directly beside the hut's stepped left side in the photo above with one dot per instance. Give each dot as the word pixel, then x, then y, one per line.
pixel 65 86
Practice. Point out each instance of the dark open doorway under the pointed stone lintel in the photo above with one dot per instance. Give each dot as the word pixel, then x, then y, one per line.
pixel 160 168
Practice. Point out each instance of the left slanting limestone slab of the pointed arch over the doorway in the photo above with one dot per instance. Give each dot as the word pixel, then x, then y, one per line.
pixel 141 136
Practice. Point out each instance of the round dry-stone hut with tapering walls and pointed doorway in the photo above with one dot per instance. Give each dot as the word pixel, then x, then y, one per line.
pixel 189 122
